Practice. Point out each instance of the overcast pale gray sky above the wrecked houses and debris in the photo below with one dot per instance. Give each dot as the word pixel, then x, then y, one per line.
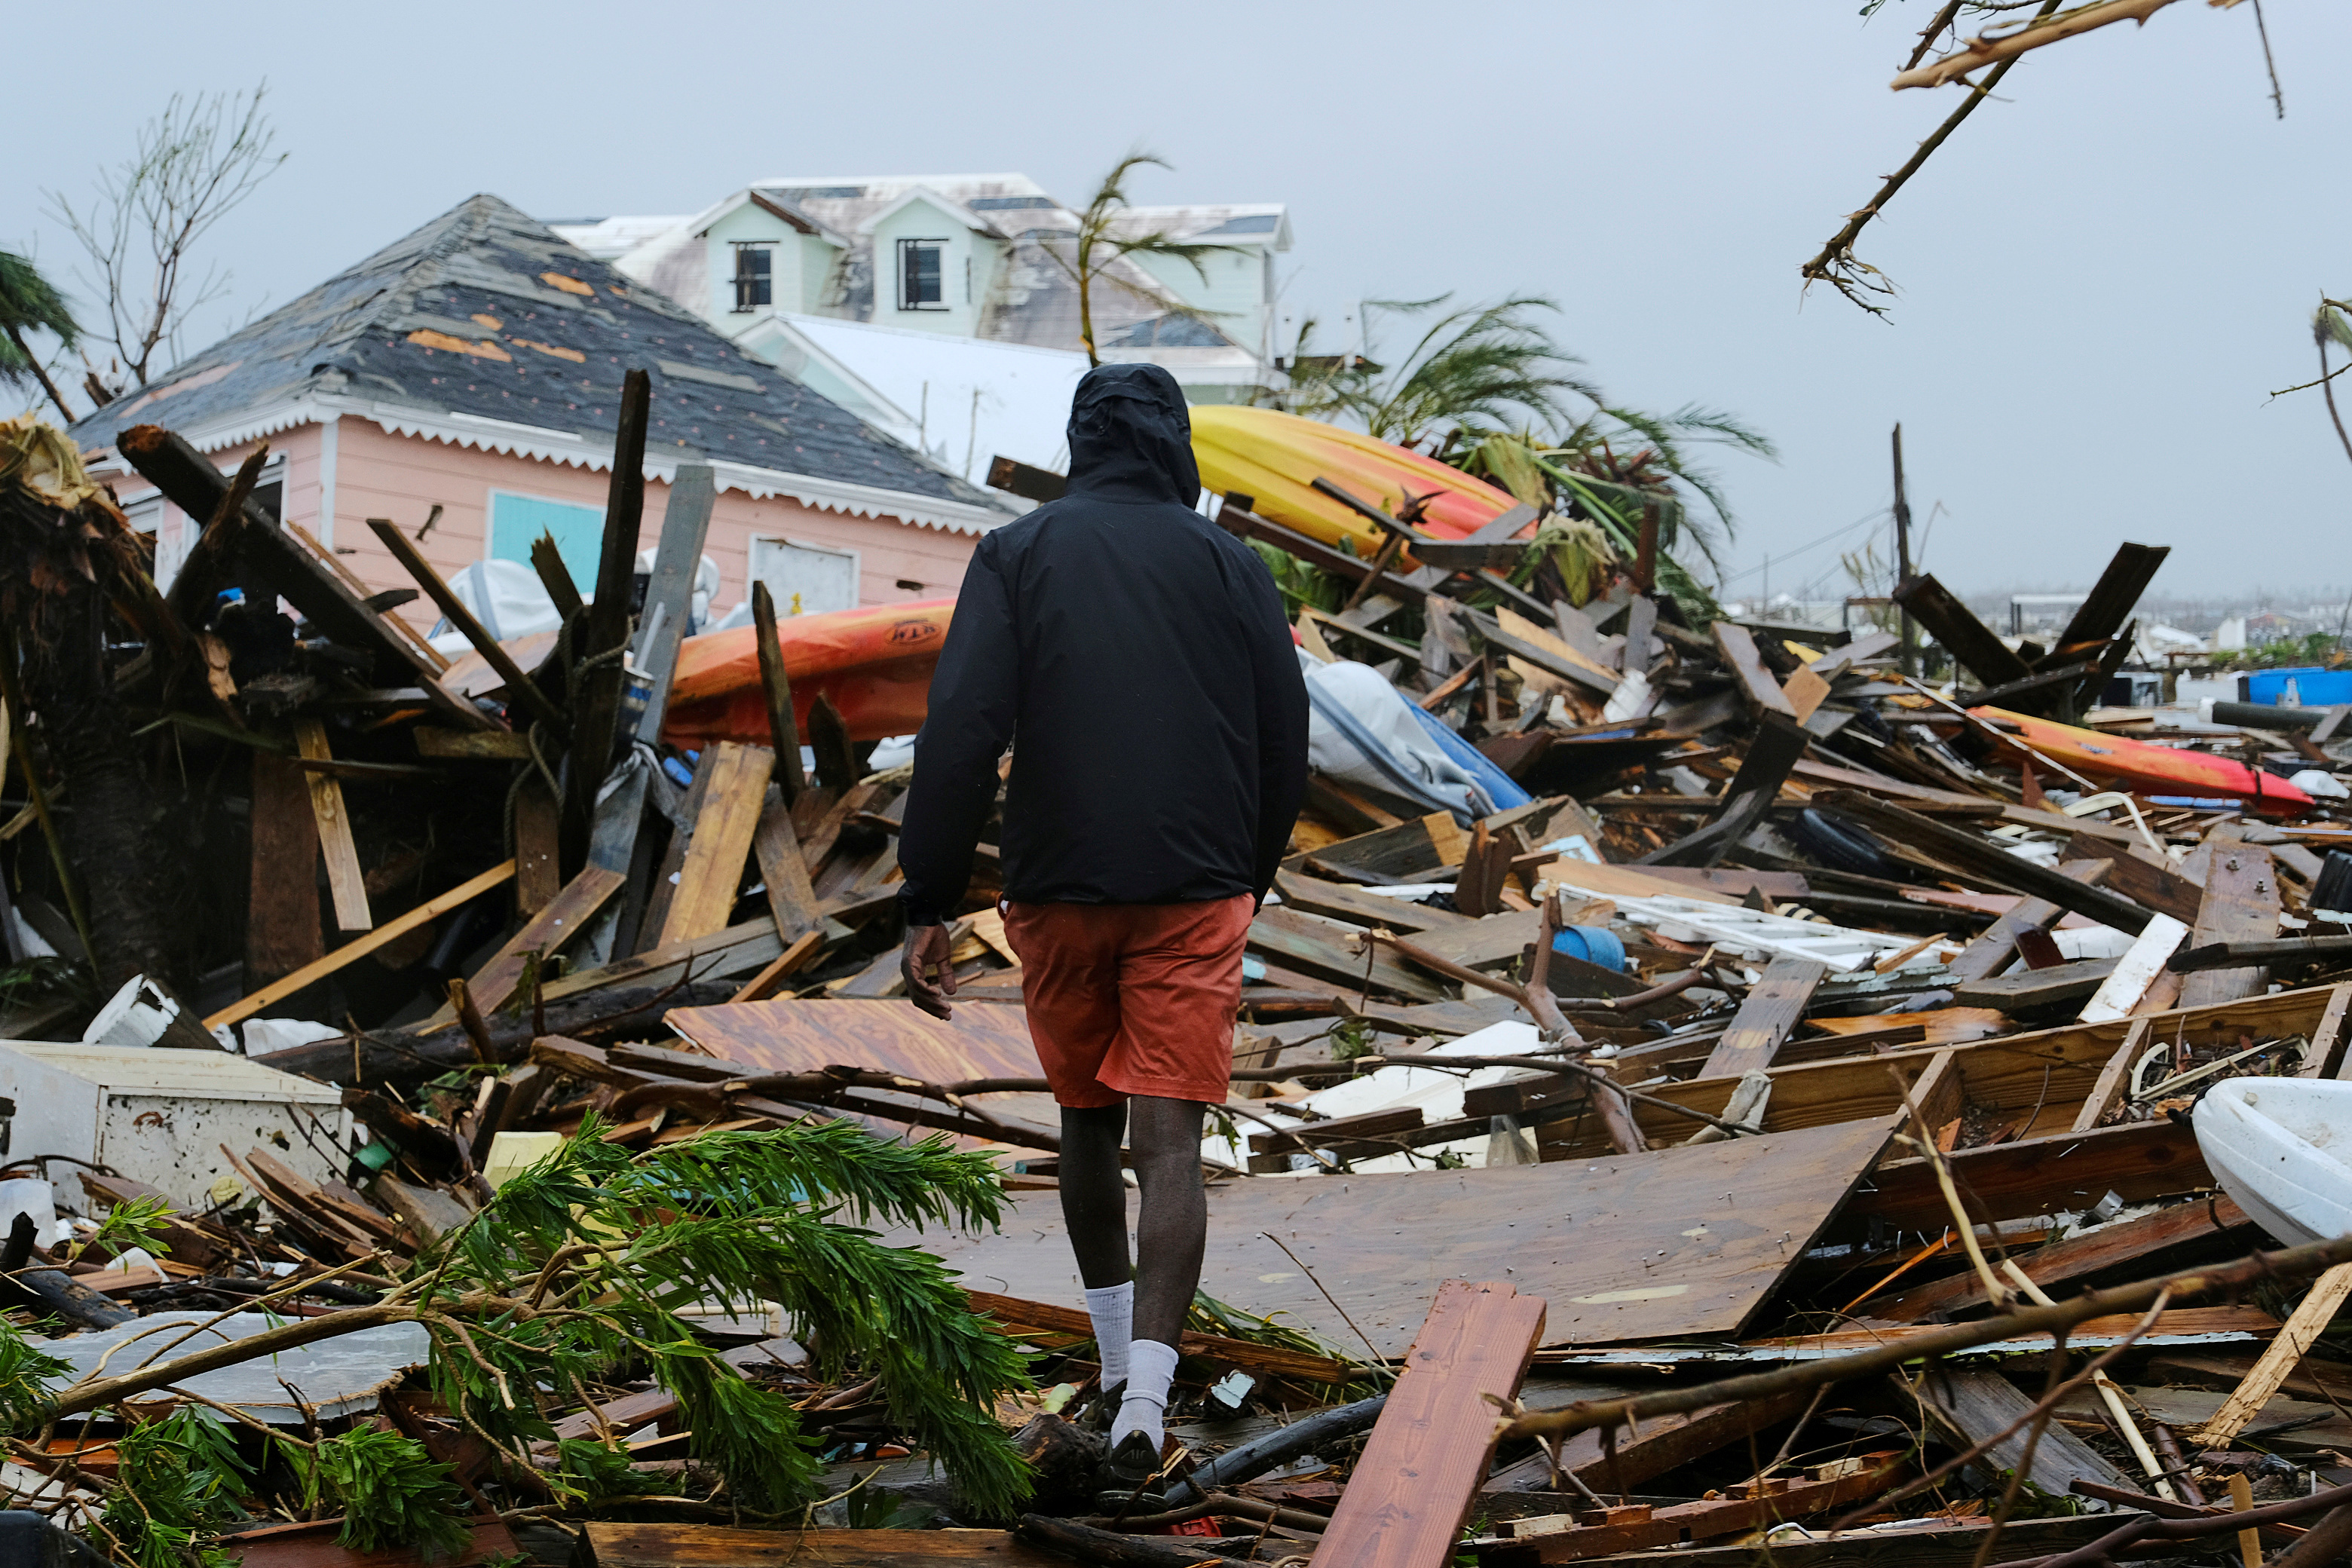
pixel 2102 276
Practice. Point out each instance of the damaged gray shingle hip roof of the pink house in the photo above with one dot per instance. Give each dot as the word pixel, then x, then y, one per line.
pixel 486 311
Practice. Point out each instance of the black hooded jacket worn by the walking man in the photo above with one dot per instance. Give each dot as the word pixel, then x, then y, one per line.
pixel 1140 664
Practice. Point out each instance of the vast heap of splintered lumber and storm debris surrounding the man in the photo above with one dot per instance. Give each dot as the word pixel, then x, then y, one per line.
pixel 1699 1087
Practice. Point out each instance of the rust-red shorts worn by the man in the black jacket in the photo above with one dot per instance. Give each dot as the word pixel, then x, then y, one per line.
pixel 1132 998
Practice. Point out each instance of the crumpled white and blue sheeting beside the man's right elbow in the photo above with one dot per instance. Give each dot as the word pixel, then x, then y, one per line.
pixel 1361 730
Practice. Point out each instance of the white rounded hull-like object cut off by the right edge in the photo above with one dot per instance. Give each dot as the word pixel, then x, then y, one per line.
pixel 2278 1148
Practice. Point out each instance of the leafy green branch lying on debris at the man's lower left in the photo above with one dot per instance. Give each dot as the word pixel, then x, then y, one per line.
pixel 624 1242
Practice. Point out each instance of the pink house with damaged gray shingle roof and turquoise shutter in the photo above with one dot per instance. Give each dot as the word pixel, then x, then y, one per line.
pixel 476 368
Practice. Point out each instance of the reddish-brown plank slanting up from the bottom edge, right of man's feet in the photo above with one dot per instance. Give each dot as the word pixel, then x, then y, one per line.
pixel 1419 1473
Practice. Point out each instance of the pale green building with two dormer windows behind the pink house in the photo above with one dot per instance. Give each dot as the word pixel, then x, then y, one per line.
pixel 963 255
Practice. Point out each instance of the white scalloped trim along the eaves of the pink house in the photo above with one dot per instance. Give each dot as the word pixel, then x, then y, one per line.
pixel 592 453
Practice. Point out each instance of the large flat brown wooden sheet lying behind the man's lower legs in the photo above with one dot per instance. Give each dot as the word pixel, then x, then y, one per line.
pixel 1629 1247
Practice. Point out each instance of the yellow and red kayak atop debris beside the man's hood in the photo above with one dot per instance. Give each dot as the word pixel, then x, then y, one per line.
pixel 1278 457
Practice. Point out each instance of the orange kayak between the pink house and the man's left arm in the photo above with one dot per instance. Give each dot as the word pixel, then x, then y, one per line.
pixel 874 664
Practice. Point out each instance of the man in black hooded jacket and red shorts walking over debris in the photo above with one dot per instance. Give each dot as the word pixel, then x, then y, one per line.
pixel 1140 664
